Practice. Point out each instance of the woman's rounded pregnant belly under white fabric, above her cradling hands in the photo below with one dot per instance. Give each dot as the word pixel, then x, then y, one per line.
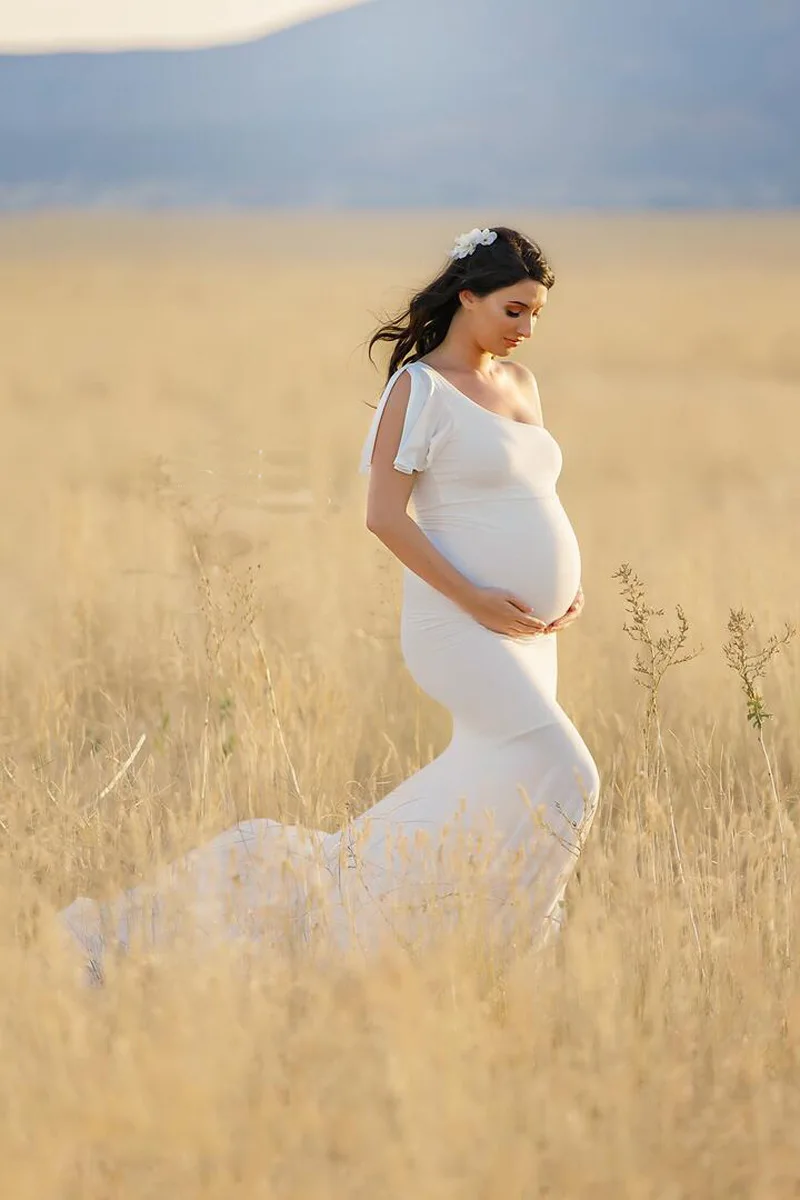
pixel 526 545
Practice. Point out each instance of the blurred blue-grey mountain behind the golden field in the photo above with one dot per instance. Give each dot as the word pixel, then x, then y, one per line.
pixel 426 104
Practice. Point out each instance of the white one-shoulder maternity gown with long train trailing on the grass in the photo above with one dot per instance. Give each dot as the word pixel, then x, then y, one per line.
pixel 503 813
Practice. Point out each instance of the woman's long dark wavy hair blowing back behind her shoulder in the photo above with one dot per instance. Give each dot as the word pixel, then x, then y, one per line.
pixel 424 325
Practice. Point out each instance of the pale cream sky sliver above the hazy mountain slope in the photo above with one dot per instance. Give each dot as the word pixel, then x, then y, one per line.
pixel 51 25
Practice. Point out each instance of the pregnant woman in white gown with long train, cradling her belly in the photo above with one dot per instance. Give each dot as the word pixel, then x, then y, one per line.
pixel 492 573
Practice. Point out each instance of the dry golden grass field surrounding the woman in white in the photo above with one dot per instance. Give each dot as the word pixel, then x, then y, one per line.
pixel 183 403
